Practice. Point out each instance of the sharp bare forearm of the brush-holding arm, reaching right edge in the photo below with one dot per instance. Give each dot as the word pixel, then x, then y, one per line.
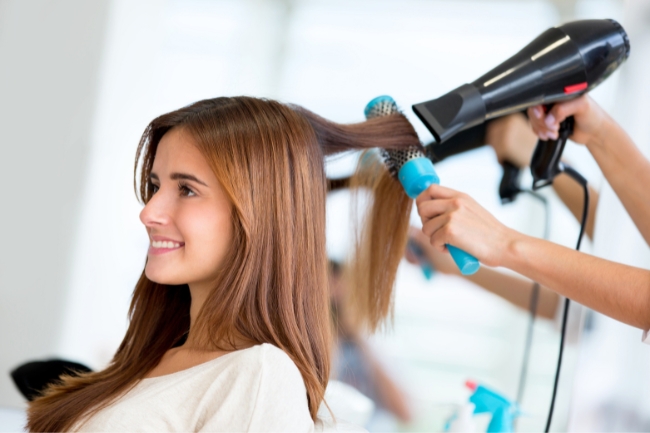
pixel 618 291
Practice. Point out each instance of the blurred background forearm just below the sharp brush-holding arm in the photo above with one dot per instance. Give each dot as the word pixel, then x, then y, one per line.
pixel 516 290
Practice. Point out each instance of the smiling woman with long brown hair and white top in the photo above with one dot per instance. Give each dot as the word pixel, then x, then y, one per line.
pixel 229 322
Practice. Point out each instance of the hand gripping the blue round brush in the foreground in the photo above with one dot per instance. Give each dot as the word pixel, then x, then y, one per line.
pixel 451 217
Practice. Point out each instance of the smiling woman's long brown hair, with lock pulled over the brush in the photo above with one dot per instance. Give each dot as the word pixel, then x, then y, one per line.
pixel 268 158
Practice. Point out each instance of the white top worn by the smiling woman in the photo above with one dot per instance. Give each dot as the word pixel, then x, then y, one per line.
pixel 254 389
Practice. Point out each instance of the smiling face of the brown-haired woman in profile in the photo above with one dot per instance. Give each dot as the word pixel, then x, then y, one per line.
pixel 188 217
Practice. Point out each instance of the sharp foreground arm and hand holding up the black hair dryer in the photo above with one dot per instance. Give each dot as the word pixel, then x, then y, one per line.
pixel 624 166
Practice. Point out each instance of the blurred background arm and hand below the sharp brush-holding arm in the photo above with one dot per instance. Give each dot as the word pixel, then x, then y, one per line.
pixel 512 288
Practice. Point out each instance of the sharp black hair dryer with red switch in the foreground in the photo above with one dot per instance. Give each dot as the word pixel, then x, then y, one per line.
pixel 561 63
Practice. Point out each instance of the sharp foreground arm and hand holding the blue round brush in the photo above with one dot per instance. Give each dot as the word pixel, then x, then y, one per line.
pixel 619 291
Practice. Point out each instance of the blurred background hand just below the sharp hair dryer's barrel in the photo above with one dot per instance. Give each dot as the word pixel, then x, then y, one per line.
pixel 512 138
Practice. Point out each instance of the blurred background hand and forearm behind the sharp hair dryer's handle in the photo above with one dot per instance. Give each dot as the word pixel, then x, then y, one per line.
pixel 514 141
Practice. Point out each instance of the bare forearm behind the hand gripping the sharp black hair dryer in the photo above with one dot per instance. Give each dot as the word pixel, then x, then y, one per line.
pixel 627 171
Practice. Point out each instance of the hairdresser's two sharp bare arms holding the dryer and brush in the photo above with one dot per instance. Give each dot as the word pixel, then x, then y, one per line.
pixel 619 291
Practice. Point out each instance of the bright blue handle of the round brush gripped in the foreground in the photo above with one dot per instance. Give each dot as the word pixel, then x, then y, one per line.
pixel 416 176
